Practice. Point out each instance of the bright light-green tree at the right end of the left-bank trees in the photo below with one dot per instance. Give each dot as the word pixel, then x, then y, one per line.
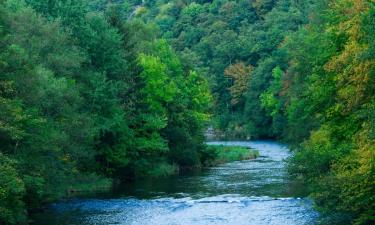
pixel 180 107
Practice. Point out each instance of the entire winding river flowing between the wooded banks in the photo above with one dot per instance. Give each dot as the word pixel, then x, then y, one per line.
pixel 248 192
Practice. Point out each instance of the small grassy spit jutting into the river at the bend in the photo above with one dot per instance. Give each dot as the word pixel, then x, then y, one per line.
pixel 218 154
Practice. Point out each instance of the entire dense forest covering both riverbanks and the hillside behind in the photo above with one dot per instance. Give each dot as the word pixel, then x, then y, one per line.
pixel 94 91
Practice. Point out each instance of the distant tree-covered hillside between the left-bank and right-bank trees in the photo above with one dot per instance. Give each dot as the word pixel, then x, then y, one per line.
pixel 222 33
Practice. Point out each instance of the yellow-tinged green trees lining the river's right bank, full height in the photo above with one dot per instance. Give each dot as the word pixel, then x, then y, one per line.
pixel 332 98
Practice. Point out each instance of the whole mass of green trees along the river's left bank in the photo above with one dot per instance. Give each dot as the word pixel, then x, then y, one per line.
pixel 84 93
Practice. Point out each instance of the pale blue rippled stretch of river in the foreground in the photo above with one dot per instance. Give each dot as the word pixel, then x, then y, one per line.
pixel 223 209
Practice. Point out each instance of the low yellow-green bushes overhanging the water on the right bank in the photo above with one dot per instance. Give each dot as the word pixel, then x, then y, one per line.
pixel 340 176
